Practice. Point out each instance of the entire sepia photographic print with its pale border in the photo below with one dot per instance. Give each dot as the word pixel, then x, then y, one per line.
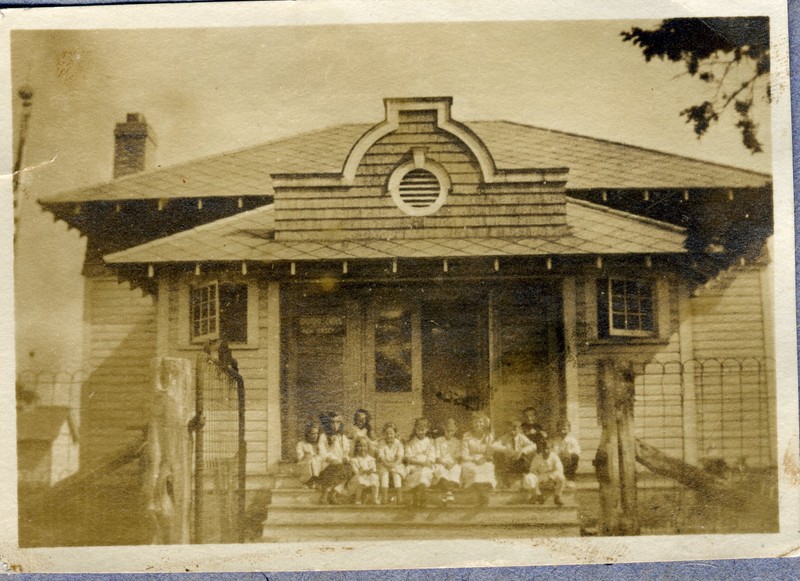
pixel 397 282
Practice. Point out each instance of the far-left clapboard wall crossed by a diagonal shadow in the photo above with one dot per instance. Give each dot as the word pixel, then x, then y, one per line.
pixel 122 340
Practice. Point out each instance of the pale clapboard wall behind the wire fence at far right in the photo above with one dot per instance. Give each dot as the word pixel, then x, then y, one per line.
pixel 732 375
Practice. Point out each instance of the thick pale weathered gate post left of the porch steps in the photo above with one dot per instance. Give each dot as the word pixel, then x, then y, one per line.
pixel 168 478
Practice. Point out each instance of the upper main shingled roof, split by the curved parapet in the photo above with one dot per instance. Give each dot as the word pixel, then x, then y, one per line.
pixel 593 163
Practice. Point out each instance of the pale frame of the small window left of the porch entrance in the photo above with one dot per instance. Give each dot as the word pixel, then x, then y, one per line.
pixel 184 319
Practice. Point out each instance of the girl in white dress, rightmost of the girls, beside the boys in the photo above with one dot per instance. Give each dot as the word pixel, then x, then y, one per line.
pixel 477 468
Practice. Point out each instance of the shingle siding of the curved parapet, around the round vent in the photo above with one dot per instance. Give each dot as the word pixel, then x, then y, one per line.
pixel 366 210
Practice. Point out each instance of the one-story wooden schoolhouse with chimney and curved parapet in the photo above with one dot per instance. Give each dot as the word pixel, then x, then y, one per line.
pixel 423 266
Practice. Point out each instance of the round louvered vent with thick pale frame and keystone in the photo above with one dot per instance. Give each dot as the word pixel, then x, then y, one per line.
pixel 419 188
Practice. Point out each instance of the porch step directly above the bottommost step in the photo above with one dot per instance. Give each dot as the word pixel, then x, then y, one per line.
pixel 402 516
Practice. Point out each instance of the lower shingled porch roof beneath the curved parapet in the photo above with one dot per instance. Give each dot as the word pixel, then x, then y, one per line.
pixel 592 229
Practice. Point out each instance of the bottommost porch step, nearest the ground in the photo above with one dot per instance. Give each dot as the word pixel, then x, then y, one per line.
pixel 384 531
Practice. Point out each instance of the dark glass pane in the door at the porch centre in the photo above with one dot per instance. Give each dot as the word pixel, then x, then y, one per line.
pixel 393 350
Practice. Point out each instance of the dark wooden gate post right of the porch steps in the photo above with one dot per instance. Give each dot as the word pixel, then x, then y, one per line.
pixel 615 462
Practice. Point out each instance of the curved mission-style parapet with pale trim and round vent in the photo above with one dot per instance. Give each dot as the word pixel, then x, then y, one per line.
pixel 420 174
